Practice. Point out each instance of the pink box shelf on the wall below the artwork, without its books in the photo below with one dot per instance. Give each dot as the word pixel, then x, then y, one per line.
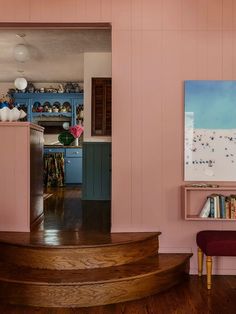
pixel 194 198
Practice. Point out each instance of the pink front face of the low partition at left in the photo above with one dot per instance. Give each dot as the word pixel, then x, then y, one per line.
pixel 14 177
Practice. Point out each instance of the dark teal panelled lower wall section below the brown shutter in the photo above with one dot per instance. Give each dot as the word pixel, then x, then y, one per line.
pixel 96 171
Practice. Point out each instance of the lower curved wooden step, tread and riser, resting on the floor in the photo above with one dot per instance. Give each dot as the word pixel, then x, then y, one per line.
pixel 91 287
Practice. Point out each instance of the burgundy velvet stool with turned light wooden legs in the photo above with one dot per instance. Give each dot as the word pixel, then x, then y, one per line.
pixel 214 243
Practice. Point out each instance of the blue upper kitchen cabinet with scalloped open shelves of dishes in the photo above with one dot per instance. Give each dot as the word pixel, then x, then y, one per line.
pixel 38 105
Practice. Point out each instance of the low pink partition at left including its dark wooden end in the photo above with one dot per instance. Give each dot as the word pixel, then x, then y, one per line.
pixel 21 194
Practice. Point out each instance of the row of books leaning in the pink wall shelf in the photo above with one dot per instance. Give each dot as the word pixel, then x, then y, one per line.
pixel 219 206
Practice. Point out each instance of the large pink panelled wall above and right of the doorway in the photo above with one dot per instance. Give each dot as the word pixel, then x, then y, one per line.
pixel 156 45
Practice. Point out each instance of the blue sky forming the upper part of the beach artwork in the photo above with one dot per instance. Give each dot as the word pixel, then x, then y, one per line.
pixel 210 104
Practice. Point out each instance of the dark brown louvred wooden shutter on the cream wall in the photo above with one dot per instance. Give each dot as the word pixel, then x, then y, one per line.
pixel 101 106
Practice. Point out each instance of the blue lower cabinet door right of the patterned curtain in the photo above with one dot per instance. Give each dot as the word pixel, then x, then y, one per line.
pixel 73 170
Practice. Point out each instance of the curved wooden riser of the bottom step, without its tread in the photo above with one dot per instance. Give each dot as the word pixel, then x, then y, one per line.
pixel 85 295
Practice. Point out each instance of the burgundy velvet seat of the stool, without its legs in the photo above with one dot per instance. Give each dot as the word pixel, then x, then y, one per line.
pixel 217 242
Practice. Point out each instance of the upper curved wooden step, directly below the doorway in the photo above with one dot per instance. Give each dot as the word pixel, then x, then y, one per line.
pixel 67 251
